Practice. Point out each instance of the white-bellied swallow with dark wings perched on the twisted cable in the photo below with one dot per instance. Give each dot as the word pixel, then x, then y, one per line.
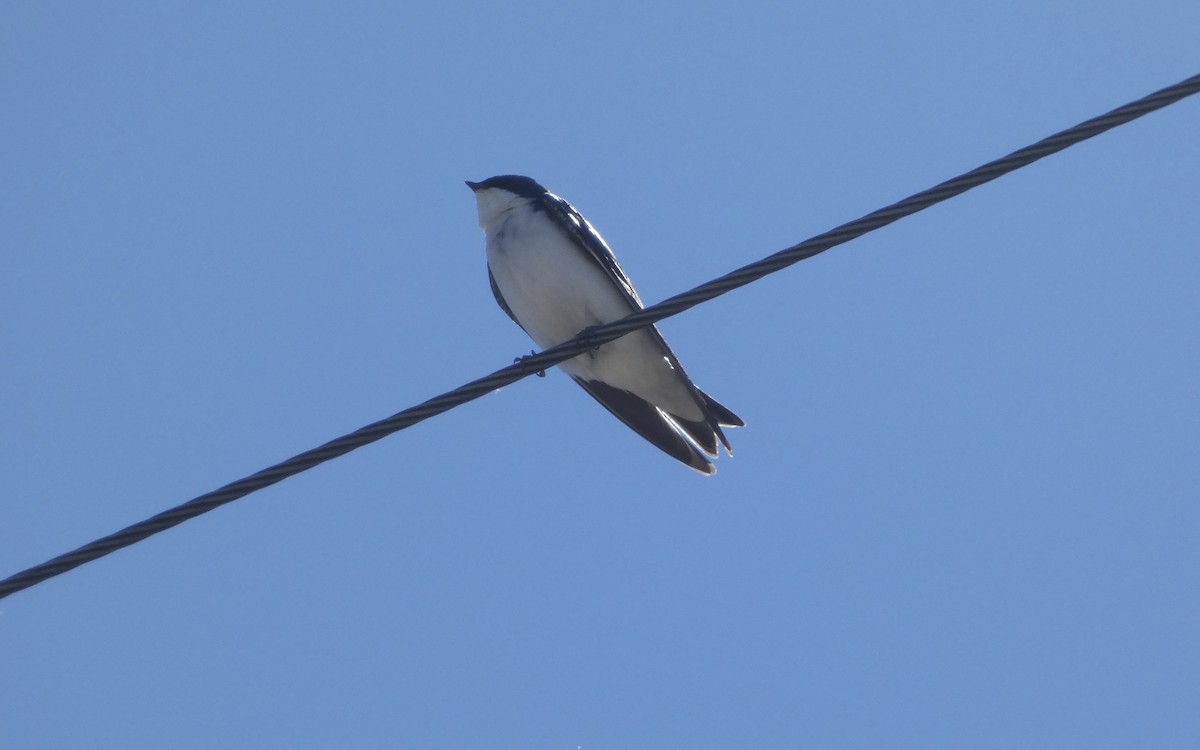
pixel 556 278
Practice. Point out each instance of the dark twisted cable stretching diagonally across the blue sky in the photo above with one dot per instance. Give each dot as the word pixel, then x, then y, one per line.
pixel 596 338
